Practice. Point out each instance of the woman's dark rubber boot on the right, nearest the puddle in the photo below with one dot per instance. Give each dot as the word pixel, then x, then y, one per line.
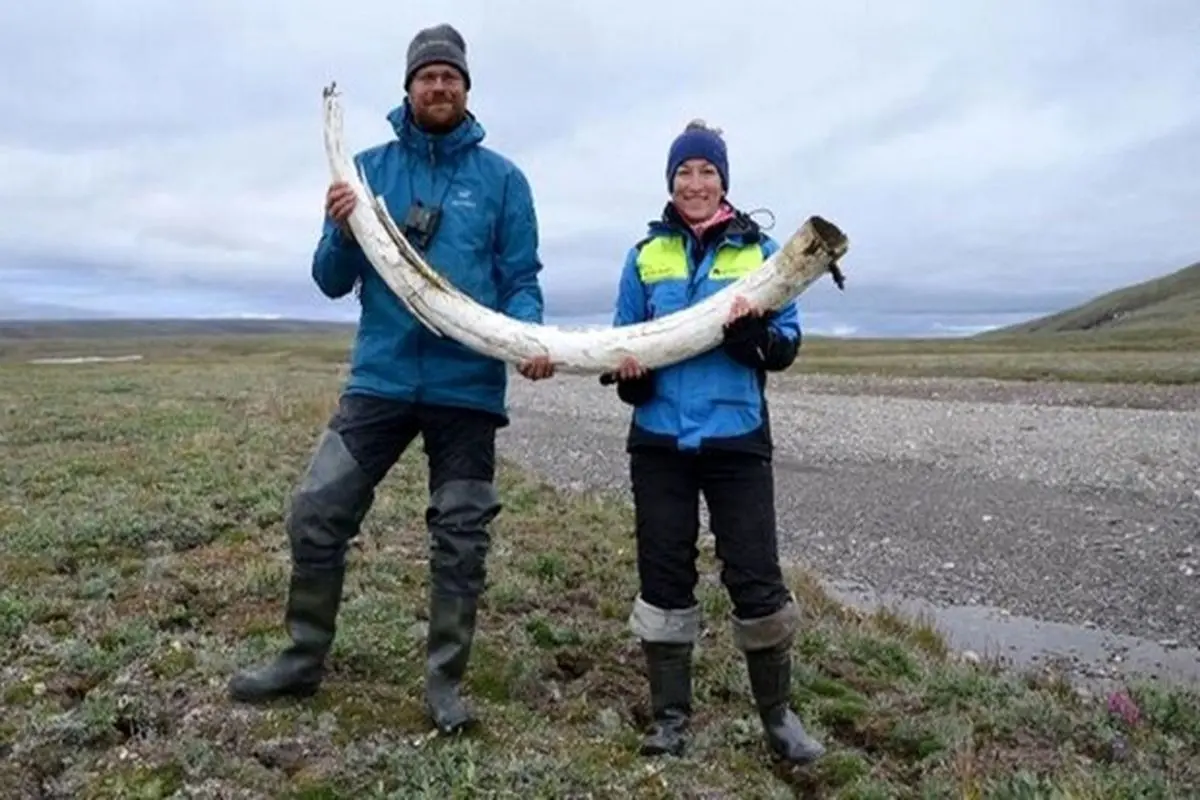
pixel 771 681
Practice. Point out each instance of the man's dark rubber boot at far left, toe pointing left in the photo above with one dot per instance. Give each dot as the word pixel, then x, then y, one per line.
pixel 314 600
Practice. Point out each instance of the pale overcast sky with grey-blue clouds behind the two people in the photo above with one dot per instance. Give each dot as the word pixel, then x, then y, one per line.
pixel 989 161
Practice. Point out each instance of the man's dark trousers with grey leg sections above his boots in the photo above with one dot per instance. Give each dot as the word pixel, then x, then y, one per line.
pixel 363 442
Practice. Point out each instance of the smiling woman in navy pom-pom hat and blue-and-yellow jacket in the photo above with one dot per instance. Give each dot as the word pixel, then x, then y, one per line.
pixel 700 428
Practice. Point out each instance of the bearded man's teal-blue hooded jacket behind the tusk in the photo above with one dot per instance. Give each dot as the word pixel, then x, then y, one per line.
pixel 487 245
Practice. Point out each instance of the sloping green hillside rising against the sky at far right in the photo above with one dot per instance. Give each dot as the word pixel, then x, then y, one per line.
pixel 1171 303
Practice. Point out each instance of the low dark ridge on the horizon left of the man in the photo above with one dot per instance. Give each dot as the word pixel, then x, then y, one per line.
pixel 21 330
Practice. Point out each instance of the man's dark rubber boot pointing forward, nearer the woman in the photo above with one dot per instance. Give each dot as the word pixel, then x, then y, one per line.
pixel 452 631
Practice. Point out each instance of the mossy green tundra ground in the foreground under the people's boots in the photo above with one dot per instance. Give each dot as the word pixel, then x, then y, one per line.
pixel 143 561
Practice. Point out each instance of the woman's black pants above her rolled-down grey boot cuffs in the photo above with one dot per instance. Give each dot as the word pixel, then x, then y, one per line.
pixel 740 491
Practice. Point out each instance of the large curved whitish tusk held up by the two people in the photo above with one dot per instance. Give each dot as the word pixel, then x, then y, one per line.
pixel 812 251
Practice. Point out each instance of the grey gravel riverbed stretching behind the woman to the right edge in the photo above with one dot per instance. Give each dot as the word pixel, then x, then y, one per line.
pixel 959 492
